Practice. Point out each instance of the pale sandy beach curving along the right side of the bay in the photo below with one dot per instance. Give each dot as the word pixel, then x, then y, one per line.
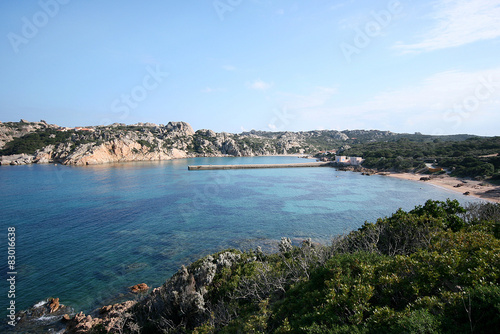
pixel 477 189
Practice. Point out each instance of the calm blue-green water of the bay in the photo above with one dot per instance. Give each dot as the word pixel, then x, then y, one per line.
pixel 84 234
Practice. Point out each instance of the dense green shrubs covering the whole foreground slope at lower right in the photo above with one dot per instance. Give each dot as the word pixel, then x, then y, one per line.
pixel 434 269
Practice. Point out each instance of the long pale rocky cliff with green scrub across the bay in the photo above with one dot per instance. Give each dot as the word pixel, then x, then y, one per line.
pixel 38 142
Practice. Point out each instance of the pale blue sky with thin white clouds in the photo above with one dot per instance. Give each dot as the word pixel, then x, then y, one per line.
pixel 236 65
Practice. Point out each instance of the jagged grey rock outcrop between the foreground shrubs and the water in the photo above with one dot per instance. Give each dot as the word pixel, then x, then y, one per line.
pixel 181 300
